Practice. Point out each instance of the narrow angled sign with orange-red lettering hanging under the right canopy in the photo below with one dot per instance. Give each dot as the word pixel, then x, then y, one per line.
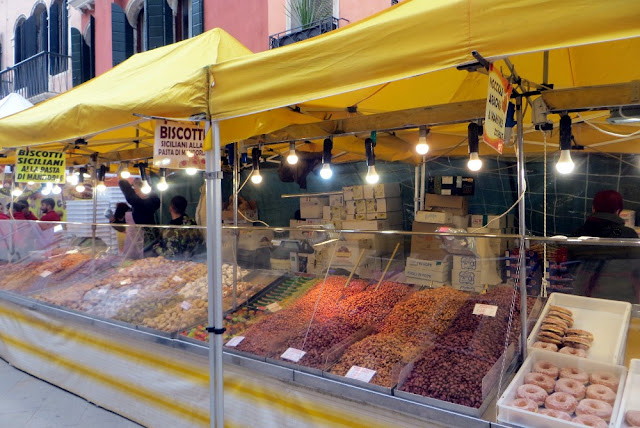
pixel 495 119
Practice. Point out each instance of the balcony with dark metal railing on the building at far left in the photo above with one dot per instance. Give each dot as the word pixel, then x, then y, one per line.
pixel 42 76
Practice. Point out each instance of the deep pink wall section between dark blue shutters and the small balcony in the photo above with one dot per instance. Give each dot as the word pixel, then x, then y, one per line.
pixel 246 20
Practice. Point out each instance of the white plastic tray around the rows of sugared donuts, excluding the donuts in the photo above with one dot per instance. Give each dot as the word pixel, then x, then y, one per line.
pixel 518 417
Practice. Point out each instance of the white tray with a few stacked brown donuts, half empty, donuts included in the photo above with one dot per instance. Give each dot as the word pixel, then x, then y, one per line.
pixel 595 329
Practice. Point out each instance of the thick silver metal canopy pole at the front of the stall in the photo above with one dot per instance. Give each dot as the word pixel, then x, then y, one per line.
pixel 213 177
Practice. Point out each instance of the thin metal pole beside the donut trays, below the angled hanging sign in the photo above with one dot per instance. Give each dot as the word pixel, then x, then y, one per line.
pixel 522 229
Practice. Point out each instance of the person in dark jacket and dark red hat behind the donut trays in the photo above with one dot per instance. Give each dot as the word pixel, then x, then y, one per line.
pixel 607 272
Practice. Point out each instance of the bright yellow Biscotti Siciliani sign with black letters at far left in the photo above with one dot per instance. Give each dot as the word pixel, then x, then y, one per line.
pixel 39 166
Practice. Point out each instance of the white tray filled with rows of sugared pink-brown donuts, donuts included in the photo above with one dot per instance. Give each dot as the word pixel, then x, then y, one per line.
pixel 558 390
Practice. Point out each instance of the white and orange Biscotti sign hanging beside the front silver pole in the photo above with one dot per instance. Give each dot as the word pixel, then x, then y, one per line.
pixel 178 145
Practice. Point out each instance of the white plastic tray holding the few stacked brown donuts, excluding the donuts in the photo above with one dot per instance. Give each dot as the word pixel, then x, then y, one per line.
pixel 608 320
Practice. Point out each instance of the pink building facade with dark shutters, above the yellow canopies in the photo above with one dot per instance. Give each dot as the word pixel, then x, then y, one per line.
pixel 49 46
